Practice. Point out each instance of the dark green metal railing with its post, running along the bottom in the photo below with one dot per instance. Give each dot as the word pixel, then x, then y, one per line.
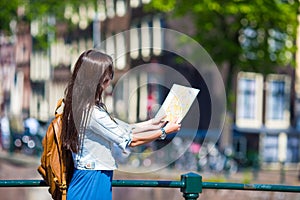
pixel 190 185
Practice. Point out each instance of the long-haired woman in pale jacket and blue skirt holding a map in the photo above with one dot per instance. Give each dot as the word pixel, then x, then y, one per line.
pixel 90 132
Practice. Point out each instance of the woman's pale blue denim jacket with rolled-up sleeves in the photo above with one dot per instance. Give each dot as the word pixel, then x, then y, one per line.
pixel 100 136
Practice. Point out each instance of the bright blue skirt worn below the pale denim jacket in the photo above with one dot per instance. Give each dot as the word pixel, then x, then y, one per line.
pixel 90 185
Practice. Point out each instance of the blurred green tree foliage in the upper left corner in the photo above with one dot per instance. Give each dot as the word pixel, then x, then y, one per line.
pixel 44 12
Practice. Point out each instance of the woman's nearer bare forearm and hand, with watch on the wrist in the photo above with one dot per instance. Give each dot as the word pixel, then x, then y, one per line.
pixel 140 138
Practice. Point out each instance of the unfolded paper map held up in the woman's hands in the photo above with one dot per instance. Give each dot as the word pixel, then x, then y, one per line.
pixel 178 102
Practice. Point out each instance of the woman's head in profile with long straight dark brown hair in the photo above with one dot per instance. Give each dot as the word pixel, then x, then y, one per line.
pixel 84 90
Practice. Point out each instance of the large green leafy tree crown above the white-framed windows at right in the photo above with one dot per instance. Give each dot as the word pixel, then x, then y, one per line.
pixel 250 35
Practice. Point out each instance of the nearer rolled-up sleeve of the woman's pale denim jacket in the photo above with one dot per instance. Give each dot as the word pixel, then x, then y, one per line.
pixel 103 125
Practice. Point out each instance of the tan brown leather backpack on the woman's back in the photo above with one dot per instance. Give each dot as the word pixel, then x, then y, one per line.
pixel 56 166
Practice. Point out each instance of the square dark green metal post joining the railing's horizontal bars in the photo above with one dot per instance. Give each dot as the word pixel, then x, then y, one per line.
pixel 192 186
